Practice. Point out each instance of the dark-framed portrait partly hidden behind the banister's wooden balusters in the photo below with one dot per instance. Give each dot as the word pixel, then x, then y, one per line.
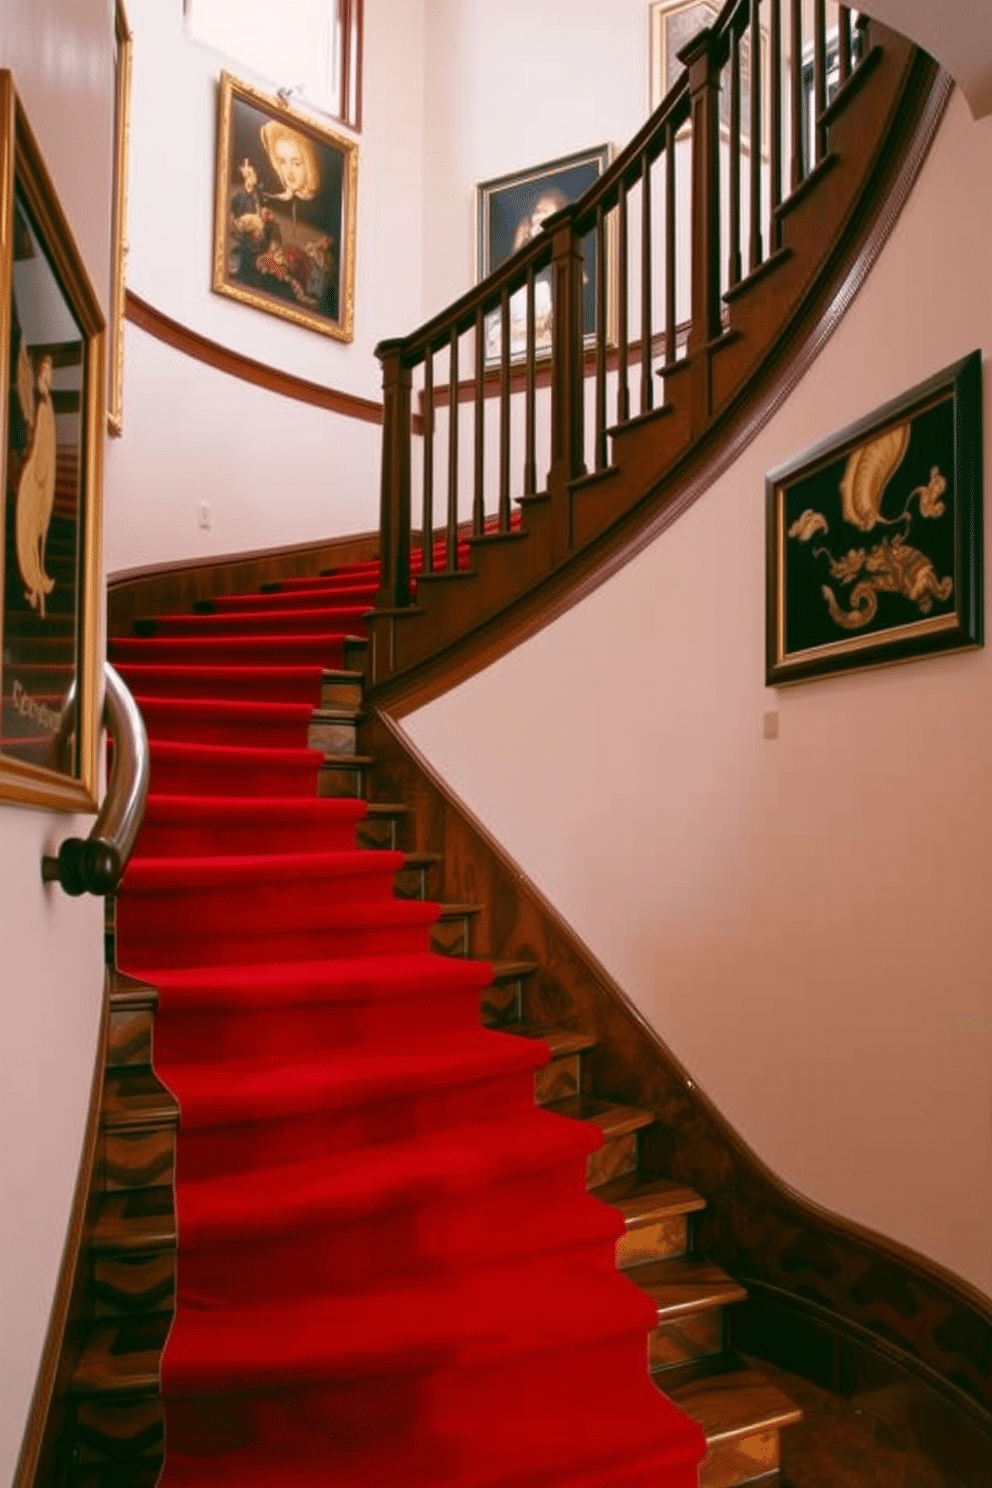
pixel 511 211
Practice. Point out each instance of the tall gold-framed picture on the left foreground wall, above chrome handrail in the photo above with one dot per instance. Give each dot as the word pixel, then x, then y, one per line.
pixel 53 371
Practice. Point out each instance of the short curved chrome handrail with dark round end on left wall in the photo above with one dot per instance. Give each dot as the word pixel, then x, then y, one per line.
pixel 94 865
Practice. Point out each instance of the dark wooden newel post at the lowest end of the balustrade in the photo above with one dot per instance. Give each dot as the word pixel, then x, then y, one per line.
pixel 395 511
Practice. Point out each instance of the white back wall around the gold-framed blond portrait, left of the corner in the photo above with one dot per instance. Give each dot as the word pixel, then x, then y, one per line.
pixel 274 472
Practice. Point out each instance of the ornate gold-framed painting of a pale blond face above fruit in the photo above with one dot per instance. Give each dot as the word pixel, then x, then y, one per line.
pixel 285 221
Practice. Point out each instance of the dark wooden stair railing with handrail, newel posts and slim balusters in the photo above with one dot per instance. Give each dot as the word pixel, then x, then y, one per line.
pixel 640 313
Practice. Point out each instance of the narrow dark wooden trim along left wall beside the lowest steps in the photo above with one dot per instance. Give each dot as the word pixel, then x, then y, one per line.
pixel 56 1365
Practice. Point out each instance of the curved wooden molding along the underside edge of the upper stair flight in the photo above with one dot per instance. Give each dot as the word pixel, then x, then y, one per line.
pixel 788 362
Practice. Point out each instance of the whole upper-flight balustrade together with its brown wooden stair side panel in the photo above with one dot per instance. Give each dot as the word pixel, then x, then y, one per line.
pixel 655 365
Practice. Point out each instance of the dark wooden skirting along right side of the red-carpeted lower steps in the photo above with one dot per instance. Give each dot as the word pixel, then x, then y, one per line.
pixel 869 1289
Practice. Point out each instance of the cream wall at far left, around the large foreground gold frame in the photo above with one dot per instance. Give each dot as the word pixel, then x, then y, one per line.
pixel 51 947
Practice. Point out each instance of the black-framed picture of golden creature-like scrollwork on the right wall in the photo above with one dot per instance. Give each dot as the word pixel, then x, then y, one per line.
pixel 875 536
